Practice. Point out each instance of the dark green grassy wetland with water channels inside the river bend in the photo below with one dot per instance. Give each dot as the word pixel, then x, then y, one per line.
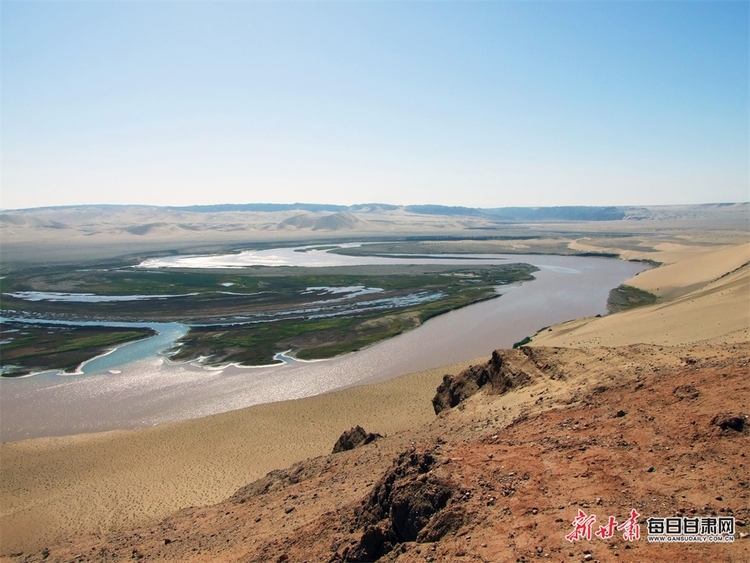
pixel 246 315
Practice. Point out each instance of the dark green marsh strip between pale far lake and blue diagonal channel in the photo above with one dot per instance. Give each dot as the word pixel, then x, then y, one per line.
pixel 223 296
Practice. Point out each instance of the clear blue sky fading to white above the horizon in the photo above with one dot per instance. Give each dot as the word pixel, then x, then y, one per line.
pixel 480 104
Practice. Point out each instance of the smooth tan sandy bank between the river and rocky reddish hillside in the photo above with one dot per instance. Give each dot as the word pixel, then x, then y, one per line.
pixel 51 488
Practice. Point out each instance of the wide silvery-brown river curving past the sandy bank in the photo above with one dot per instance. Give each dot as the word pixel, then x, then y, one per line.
pixel 149 390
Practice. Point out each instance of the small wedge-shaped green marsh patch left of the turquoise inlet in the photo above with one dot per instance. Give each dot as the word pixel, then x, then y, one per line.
pixel 27 348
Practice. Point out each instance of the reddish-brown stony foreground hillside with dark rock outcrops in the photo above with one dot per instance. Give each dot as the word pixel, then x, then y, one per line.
pixel 539 435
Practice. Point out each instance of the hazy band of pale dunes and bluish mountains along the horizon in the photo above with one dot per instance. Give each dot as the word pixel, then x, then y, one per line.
pixel 82 232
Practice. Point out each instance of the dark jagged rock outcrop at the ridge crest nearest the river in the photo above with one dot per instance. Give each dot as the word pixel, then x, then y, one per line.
pixel 501 375
